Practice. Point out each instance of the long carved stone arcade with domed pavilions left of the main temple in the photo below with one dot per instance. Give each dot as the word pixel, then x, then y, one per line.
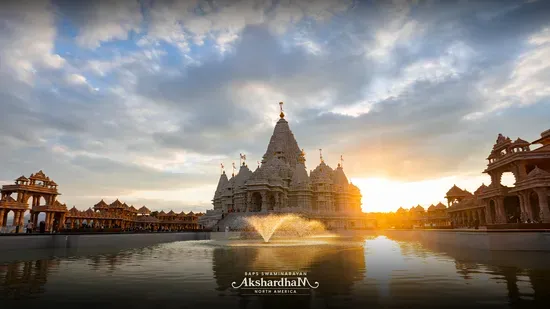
pixel 42 192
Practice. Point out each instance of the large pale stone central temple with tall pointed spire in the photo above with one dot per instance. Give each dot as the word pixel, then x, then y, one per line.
pixel 282 184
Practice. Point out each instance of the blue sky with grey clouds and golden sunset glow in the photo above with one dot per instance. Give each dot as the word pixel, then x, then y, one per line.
pixel 143 100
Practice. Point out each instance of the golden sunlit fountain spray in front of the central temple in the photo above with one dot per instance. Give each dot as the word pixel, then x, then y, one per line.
pixel 285 225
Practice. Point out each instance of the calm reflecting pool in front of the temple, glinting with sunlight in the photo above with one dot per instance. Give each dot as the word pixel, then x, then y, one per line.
pixel 367 271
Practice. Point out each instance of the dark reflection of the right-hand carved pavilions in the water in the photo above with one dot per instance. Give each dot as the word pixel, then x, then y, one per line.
pixel 516 278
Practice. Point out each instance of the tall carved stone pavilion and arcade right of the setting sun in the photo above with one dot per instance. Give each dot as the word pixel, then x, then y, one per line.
pixel 527 201
